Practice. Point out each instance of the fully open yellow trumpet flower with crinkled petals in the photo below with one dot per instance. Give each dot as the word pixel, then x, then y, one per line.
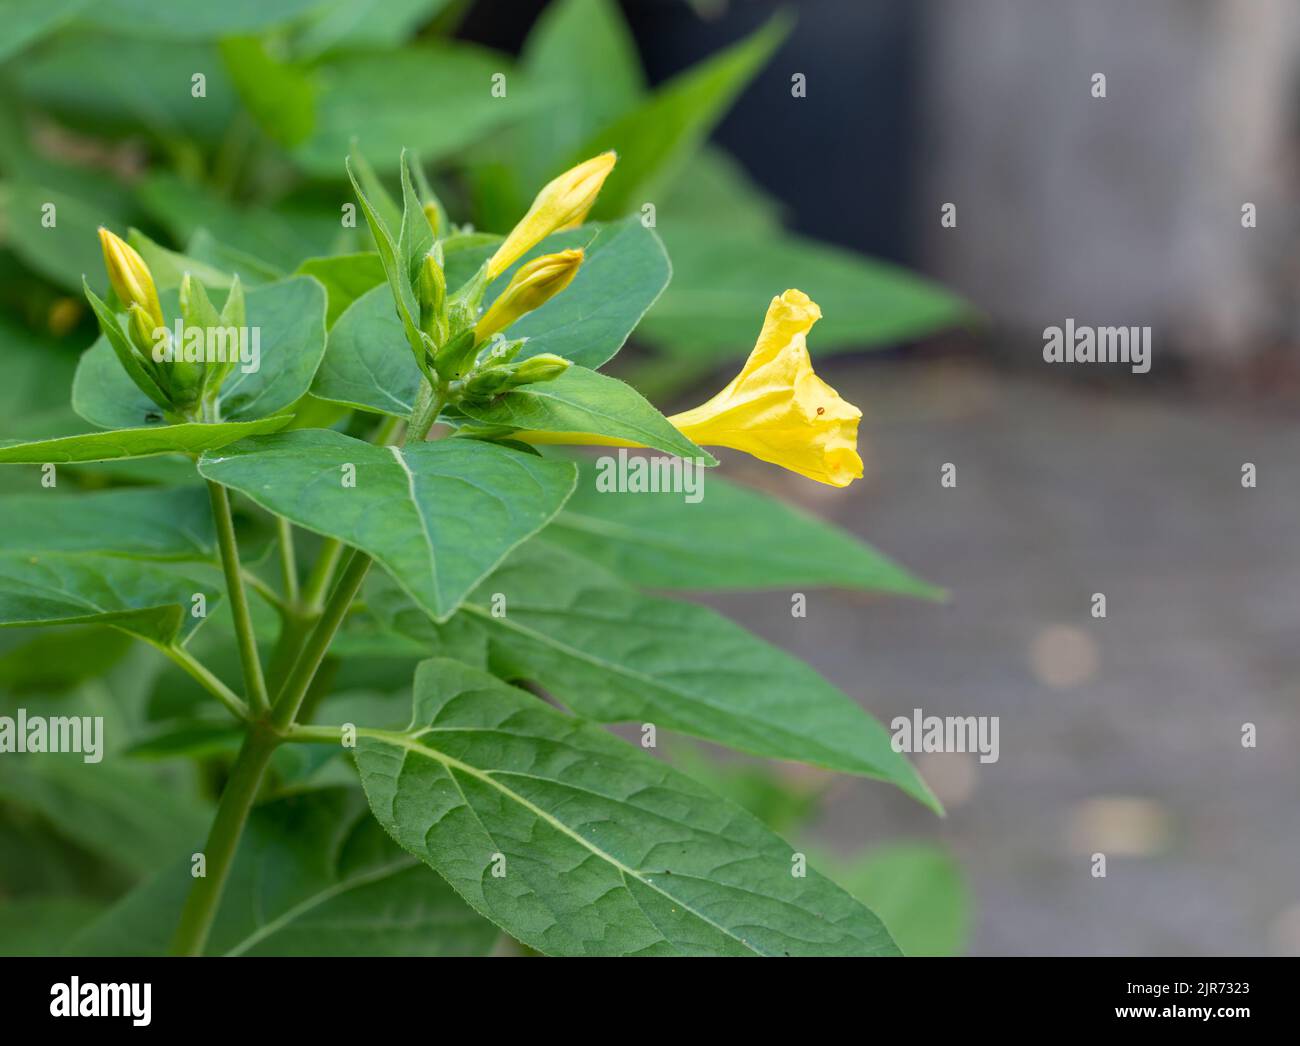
pixel 777 409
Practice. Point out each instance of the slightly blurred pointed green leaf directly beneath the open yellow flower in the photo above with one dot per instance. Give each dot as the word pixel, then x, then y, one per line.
pixel 661 540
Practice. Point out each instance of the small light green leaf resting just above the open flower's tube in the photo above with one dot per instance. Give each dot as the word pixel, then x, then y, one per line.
pixel 583 401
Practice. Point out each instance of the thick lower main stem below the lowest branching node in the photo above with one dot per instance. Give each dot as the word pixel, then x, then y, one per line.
pixel 219 852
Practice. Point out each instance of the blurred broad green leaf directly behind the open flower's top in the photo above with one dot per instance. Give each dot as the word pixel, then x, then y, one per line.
pixel 725 280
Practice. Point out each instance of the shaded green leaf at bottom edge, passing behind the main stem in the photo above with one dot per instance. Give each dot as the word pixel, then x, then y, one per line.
pixel 314 876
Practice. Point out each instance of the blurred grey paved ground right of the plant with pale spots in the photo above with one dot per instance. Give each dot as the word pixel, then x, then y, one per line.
pixel 1121 736
